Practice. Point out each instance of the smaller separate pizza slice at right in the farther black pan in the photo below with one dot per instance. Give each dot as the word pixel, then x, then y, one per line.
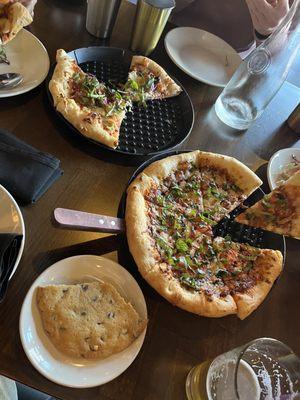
pixel 147 81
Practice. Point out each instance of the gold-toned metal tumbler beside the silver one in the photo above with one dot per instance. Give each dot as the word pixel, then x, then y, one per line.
pixel 150 19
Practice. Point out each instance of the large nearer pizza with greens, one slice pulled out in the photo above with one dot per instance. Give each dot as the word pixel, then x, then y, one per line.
pixel 171 209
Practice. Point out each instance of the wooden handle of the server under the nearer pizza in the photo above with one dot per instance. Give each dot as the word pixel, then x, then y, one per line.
pixel 83 221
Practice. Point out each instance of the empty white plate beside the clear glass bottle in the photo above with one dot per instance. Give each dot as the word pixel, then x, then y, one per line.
pixel 202 55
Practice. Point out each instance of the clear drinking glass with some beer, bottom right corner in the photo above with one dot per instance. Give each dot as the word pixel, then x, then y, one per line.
pixel 264 369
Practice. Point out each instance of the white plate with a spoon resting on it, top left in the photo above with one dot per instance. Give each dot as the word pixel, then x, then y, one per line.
pixel 27 56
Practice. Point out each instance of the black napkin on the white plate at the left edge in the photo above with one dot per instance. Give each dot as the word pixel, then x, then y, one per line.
pixel 9 249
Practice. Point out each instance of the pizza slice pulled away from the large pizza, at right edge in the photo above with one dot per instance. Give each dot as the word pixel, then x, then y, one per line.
pixel 278 211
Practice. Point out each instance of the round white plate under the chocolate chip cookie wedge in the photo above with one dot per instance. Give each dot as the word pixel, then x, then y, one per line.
pixel 56 366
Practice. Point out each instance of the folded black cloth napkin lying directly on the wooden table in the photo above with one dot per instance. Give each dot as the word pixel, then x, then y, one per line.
pixel 24 171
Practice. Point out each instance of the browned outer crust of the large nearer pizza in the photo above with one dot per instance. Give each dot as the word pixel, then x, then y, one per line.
pixel 146 256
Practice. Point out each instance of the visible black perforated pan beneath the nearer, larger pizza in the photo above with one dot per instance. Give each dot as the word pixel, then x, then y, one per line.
pixel 227 226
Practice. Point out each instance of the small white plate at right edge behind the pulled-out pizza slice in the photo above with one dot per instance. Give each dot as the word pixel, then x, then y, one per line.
pixel 278 161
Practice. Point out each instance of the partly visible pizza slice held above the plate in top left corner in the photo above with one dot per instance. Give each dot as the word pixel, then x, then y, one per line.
pixel 13 17
